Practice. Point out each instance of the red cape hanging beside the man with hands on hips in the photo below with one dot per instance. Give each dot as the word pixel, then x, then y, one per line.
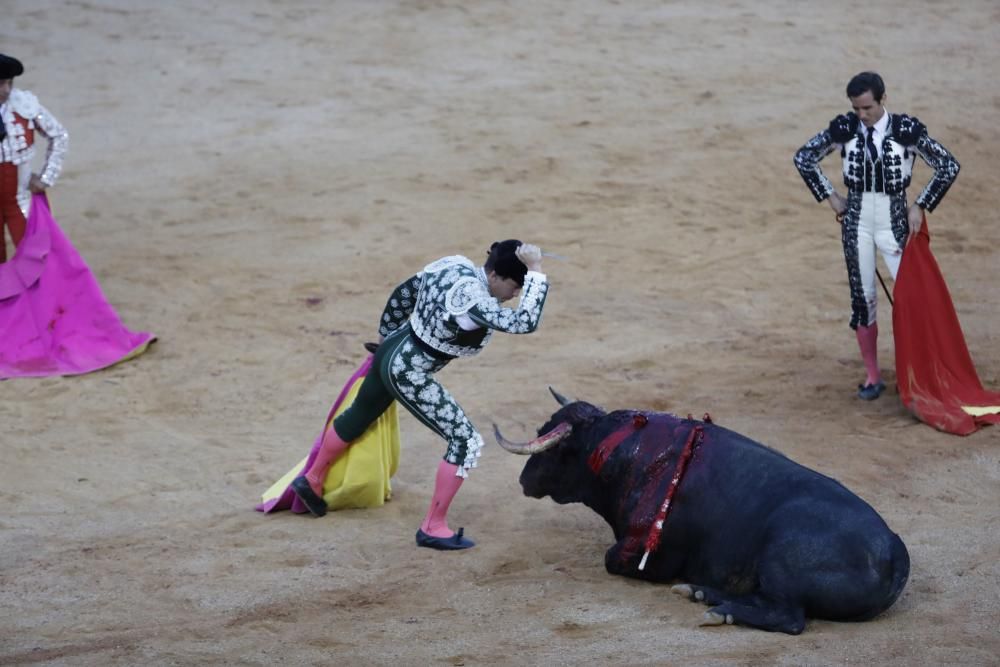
pixel 934 371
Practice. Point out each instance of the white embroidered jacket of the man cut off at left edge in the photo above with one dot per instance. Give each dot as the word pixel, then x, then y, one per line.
pixel 22 116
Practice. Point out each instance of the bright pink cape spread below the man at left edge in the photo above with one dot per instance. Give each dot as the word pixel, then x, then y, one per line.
pixel 54 320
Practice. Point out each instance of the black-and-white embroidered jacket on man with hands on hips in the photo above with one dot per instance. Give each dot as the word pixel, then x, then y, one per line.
pixel 905 138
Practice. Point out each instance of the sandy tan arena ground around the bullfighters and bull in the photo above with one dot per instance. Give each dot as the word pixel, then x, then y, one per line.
pixel 250 180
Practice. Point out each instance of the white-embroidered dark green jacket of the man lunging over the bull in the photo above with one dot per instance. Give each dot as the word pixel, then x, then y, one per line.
pixel 449 307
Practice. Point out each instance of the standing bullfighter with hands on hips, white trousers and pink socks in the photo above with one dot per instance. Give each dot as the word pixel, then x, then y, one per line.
pixel 878 149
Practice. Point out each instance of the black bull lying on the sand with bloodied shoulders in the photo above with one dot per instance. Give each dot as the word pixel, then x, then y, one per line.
pixel 762 539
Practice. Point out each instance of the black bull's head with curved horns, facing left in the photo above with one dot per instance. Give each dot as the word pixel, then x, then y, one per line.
pixel 557 466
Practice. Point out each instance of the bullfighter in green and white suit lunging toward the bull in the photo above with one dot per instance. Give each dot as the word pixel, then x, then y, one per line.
pixel 450 309
